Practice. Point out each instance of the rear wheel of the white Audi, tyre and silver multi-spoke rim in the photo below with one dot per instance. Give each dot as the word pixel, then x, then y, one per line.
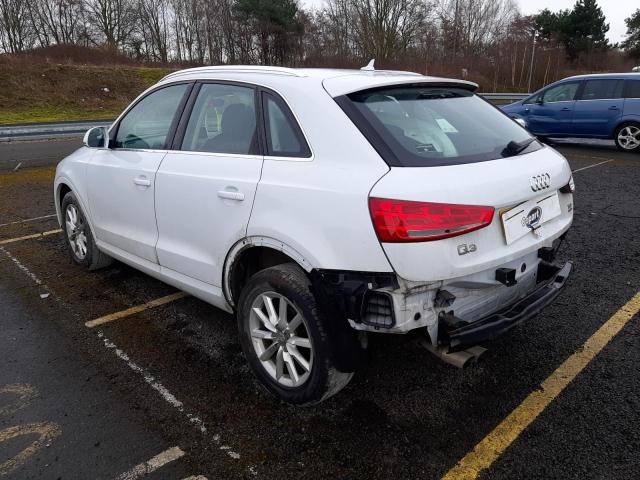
pixel 286 345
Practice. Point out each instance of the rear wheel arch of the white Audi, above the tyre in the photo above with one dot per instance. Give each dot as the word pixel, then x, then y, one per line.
pixel 253 254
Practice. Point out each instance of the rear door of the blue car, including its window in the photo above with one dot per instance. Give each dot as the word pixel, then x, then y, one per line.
pixel 598 108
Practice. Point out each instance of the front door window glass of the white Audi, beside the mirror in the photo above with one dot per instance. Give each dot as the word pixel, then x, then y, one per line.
pixel 147 124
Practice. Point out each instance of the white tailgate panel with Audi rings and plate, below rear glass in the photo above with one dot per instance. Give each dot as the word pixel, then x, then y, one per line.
pixel 528 213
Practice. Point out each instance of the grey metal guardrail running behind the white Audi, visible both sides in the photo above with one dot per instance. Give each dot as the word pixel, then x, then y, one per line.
pixel 77 129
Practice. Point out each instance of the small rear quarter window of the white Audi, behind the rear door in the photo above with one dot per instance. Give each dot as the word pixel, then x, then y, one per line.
pixel 284 138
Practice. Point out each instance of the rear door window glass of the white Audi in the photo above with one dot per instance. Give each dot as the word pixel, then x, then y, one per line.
pixel 223 120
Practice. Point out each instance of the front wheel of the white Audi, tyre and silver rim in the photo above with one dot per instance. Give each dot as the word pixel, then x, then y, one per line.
pixel 78 236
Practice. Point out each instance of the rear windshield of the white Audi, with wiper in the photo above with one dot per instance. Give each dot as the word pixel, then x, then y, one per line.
pixel 421 126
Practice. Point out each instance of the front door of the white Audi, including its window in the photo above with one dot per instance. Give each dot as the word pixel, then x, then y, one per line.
pixel 121 179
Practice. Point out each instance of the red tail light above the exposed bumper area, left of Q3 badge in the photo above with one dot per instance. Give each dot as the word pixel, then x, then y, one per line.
pixel 405 221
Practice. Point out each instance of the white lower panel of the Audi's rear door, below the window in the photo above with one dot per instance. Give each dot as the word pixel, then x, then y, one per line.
pixel 198 218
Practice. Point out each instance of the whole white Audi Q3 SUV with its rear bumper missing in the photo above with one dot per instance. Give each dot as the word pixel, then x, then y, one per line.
pixel 321 206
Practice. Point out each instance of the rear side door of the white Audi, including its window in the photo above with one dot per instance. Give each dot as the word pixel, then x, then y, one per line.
pixel 205 187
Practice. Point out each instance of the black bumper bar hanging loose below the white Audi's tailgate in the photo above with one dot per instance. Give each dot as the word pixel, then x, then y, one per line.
pixel 470 334
